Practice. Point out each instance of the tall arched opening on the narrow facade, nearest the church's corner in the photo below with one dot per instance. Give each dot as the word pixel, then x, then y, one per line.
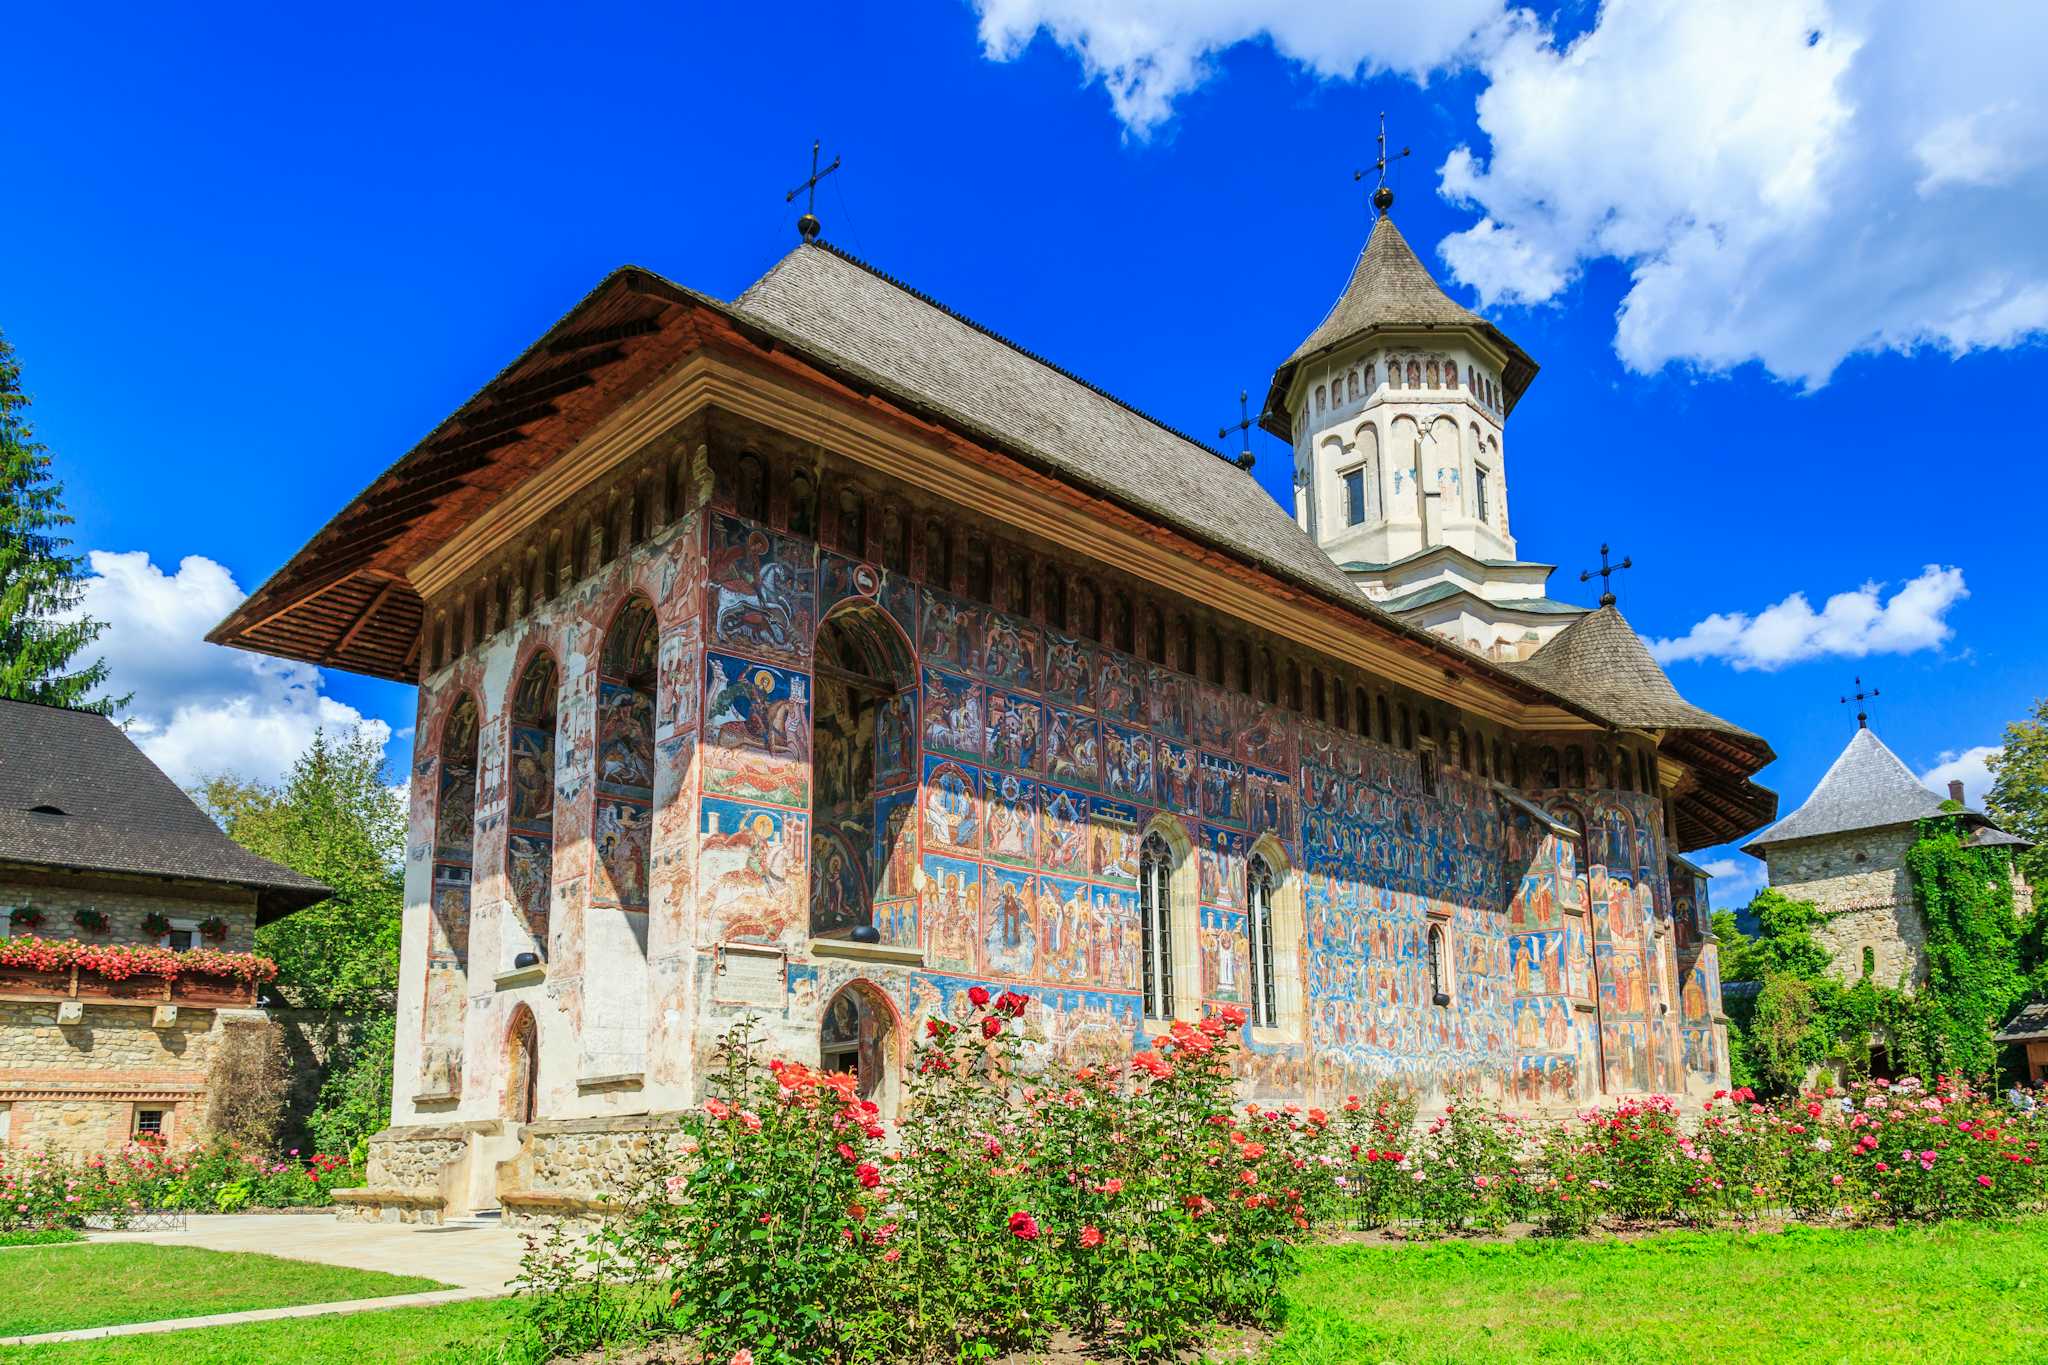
pixel 624 822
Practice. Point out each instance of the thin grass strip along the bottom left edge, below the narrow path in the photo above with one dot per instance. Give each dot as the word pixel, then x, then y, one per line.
pixel 456 1333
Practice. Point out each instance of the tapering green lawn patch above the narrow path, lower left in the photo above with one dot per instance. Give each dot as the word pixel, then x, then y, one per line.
pixel 99 1284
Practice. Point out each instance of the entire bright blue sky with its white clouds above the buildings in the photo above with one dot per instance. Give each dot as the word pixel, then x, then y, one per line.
pixel 1783 281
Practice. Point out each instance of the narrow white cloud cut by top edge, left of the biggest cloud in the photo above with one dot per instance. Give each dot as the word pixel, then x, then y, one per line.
pixel 1152 52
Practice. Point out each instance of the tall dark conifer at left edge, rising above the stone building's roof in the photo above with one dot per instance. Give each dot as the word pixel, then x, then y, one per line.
pixel 40 578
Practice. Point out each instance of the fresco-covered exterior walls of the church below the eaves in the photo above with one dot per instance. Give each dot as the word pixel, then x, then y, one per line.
pixel 837 746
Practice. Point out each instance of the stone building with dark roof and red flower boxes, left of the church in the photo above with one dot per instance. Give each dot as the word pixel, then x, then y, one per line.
pixel 99 846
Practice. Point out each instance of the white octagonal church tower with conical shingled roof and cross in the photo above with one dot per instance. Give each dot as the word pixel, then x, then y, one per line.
pixel 1396 408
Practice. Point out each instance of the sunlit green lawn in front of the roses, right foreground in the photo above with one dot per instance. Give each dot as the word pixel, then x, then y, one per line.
pixel 1918 1294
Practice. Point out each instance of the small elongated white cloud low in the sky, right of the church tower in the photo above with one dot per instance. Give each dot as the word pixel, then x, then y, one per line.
pixel 1848 625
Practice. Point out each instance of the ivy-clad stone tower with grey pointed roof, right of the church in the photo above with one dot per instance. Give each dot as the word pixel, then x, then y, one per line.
pixel 1846 850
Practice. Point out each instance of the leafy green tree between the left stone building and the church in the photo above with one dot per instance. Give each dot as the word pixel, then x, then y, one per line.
pixel 335 820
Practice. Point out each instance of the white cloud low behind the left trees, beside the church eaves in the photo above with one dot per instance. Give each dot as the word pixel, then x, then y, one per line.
pixel 202 709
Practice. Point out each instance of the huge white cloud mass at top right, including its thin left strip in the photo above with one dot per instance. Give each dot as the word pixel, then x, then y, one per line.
pixel 1785 181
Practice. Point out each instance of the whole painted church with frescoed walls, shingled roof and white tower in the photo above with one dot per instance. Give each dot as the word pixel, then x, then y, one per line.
pixel 820 654
